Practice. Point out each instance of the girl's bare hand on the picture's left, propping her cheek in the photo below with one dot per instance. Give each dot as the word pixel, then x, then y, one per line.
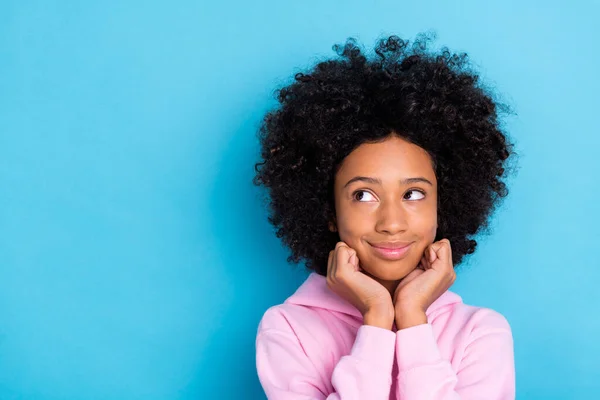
pixel 346 278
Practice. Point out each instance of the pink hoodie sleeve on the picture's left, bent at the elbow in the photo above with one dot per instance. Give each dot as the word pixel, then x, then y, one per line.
pixel 286 373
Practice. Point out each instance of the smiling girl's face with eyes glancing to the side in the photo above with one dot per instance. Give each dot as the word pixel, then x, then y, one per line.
pixel 386 192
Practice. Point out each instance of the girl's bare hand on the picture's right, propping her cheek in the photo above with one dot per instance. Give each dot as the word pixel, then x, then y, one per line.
pixel 422 286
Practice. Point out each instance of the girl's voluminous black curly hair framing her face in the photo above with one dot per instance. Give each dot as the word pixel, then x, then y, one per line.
pixel 431 99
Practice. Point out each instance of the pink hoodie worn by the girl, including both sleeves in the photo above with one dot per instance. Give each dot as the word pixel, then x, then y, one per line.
pixel 315 346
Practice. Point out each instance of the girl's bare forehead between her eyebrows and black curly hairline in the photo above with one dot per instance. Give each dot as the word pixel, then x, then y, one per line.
pixel 393 158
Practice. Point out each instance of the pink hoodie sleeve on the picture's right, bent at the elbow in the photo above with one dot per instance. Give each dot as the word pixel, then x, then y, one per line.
pixel 486 370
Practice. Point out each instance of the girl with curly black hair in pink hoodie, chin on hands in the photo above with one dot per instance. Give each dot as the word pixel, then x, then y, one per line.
pixel 379 171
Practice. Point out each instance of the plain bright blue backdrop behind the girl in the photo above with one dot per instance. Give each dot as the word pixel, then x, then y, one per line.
pixel 135 255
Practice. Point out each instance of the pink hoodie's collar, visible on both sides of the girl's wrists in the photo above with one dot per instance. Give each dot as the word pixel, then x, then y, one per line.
pixel 314 292
